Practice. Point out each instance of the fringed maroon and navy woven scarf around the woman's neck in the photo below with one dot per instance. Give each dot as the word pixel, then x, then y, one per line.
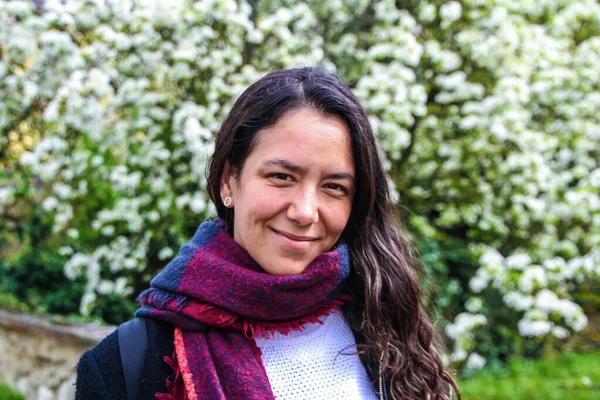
pixel 214 283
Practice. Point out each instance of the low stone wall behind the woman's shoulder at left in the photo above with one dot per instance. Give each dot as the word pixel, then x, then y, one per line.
pixel 38 358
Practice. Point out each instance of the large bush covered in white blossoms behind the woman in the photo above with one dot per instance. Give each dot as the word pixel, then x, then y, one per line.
pixel 486 112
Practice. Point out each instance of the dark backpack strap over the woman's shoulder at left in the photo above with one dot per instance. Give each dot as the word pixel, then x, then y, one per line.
pixel 133 340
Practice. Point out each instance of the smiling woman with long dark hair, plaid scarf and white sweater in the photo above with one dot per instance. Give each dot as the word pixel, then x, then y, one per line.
pixel 305 286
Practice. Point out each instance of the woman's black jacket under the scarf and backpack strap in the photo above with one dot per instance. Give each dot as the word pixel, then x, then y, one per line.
pixel 100 371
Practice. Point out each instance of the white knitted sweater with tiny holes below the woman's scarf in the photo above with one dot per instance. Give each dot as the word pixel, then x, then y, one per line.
pixel 317 363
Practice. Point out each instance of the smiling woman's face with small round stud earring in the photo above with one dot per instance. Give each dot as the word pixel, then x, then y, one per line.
pixel 293 198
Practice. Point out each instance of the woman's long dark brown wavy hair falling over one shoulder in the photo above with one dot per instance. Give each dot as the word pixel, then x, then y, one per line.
pixel 385 311
